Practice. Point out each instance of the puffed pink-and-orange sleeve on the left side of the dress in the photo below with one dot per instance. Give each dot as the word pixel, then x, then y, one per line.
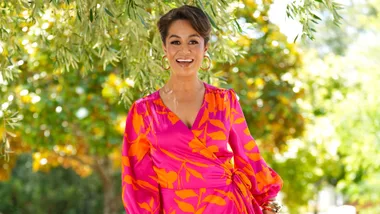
pixel 140 192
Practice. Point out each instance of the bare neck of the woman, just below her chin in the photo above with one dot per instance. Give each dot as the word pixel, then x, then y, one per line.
pixel 183 84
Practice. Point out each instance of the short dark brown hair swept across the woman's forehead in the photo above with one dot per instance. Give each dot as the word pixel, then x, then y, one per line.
pixel 197 18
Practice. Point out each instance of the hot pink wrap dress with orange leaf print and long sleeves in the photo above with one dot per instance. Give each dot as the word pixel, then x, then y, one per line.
pixel 213 167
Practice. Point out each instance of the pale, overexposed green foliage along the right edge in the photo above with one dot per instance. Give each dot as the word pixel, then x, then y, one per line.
pixel 341 142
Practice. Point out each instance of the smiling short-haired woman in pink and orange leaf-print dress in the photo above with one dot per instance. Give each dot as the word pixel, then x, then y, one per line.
pixel 176 156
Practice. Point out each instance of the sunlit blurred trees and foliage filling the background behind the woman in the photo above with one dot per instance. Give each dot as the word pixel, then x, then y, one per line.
pixel 312 105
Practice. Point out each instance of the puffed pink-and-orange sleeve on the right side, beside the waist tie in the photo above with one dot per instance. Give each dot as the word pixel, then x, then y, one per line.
pixel 265 182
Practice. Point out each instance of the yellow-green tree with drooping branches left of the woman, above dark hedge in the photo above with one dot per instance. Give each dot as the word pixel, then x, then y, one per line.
pixel 66 65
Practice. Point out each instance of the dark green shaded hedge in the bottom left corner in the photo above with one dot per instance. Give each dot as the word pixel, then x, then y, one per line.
pixel 63 191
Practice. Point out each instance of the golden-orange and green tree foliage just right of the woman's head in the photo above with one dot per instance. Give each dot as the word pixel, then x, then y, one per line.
pixel 269 100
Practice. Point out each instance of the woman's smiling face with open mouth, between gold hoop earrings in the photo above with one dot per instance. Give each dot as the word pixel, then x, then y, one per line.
pixel 185 48
